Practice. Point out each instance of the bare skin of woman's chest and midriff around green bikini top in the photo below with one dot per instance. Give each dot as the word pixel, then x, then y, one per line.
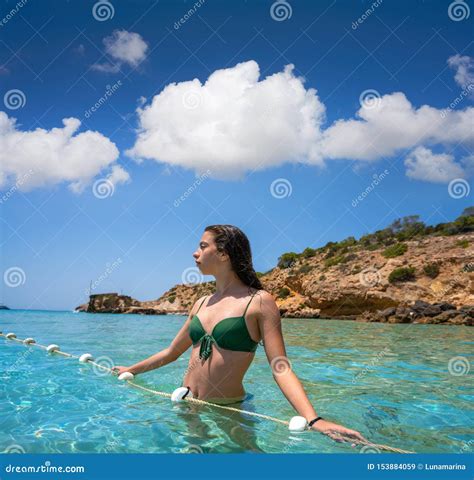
pixel 221 375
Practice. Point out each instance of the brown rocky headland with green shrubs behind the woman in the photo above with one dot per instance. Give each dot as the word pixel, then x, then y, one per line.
pixel 422 278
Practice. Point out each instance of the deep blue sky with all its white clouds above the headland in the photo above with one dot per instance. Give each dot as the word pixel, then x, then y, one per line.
pixel 57 59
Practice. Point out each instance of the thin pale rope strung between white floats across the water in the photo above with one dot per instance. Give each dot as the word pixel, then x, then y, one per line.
pixel 196 400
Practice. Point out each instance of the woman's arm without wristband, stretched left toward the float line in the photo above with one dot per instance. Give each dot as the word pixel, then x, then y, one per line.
pixel 178 346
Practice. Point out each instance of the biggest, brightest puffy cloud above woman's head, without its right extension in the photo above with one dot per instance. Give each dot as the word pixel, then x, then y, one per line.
pixel 232 123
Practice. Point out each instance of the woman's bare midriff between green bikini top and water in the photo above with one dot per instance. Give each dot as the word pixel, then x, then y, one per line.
pixel 221 376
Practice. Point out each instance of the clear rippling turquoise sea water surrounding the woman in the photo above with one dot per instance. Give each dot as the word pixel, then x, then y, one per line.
pixel 390 382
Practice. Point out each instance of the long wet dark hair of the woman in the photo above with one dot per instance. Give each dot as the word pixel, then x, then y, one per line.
pixel 234 242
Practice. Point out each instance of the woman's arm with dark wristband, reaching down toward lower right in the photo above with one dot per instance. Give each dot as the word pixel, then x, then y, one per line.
pixel 269 322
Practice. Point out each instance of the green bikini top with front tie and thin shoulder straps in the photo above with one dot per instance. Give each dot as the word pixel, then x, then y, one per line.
pixel 230 334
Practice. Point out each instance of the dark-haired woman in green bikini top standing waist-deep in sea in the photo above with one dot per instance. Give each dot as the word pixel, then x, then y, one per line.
pixel 226 333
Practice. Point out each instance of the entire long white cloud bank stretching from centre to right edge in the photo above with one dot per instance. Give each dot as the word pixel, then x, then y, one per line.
pixel 235 123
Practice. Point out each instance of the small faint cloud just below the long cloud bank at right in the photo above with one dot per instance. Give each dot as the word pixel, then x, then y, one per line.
pixel 423 164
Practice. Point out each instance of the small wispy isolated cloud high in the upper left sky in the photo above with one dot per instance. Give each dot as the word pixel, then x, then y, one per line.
pixel 124 47
